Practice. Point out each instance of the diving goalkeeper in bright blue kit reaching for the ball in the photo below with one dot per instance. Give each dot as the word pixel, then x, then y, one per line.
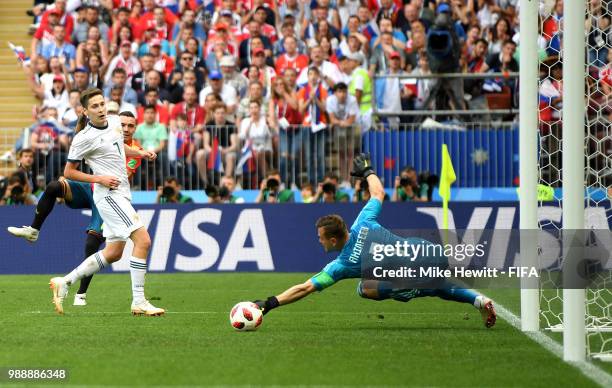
pixel 335 236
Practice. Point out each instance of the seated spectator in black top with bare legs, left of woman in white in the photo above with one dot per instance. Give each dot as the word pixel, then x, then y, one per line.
pixel 221 133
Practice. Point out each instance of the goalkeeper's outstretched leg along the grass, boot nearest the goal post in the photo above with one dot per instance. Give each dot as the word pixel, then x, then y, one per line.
pixel 381 290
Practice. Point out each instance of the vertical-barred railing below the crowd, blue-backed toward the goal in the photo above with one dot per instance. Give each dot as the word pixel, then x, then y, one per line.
pixel 484 154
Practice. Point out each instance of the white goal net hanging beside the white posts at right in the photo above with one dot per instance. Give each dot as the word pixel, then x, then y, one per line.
pixel 598 161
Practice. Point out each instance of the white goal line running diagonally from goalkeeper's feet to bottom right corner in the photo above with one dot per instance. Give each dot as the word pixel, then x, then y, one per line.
pixel 588 369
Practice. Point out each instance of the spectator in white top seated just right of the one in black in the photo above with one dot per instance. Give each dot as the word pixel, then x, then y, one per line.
pixel 255 131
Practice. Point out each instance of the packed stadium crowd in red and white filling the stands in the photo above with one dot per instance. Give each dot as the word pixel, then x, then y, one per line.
pixel 260 91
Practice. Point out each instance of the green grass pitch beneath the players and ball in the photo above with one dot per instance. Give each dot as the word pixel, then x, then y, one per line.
pixel 331 338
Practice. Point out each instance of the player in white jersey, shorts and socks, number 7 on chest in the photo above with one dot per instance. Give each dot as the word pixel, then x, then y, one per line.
pixel 100 144
